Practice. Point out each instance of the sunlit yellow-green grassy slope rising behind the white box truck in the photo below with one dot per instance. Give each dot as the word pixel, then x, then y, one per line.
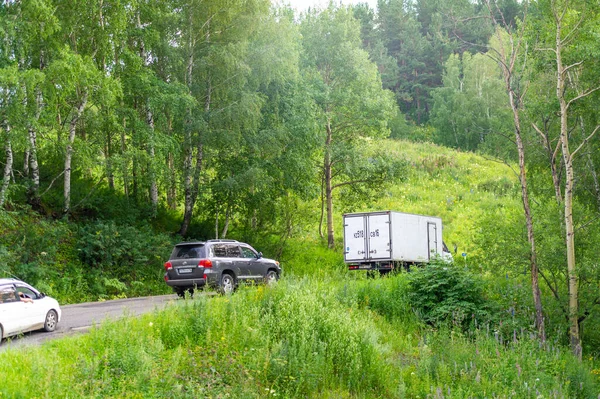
pixel 471 194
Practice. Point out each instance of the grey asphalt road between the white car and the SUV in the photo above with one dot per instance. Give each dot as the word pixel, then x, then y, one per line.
pixel 82 316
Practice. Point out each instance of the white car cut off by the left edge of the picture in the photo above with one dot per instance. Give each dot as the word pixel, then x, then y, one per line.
pixel 23 308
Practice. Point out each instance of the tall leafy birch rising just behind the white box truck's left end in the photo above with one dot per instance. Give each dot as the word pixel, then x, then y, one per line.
pixel 348 93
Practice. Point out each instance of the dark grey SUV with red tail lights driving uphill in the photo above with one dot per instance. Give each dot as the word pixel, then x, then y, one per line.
pixel 217 263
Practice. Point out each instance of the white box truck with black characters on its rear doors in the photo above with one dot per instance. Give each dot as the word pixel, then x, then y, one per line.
pixel 385 240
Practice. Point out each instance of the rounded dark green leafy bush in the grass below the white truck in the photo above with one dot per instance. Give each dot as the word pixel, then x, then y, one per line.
pixel 447 295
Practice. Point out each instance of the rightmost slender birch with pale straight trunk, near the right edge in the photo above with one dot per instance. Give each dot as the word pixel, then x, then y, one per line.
pixel 571 22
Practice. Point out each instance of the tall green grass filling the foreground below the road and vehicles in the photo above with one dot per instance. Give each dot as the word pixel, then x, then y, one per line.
pixel 304 337
